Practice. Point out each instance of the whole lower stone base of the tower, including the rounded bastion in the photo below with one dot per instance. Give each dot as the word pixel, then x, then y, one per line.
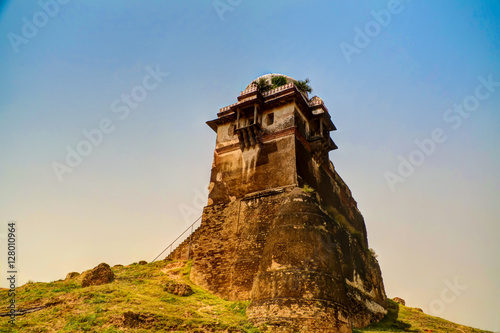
pixel 280 249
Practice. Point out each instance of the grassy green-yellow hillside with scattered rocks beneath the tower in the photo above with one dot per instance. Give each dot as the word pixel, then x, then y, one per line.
pixel 136 301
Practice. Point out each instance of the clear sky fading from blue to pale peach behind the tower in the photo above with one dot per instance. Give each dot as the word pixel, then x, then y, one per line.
pixel 390 73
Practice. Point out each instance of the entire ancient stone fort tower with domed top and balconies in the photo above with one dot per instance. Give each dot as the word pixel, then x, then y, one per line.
pixel 281 227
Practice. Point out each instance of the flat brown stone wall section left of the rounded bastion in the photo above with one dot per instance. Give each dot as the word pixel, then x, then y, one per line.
pixel 226 249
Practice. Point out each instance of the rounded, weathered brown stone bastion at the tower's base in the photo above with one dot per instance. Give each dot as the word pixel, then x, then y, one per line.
pixel 304 272
